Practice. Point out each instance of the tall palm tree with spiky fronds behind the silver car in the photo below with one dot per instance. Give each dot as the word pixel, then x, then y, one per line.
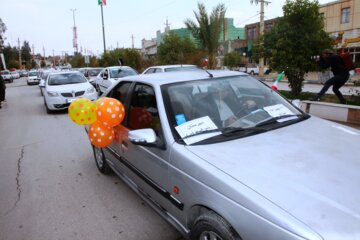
pixel 208 29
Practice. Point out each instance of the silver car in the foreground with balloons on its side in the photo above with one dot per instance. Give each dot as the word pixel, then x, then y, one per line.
pixel 273 173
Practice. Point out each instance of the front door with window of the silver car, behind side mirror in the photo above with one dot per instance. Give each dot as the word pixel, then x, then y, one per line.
pixel 146 166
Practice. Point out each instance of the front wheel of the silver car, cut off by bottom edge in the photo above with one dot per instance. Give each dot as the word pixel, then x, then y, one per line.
pixel 211 226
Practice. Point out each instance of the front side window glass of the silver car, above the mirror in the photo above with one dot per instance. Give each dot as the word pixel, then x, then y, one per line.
pixel 143 109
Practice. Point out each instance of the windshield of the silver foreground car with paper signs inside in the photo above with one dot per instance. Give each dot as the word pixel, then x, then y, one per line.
pixel 227 105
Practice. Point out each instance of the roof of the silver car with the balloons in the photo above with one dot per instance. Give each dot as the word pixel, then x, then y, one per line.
pixel 183 76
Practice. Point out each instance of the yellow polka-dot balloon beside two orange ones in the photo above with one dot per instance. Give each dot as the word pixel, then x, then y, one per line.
pixel 82 111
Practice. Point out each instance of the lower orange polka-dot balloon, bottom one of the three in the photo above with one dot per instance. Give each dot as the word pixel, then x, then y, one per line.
pixel 100 135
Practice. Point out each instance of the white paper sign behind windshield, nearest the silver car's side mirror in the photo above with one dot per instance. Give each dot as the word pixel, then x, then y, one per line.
pixel 197 126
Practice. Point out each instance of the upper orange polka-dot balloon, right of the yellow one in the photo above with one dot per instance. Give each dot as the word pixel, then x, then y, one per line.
pixel 110 111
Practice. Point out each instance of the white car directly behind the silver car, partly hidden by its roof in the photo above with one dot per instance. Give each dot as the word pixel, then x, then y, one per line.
pixel 110 75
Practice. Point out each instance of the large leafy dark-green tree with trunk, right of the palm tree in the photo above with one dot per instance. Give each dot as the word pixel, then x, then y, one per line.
pixel 298 36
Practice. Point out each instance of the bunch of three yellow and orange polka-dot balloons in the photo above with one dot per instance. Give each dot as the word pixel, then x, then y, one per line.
pixel 102 117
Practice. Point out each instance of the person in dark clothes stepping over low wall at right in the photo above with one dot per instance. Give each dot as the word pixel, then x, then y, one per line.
pixel 341 75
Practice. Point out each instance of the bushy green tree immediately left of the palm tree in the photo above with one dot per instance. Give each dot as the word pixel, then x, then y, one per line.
pixel 175 49
